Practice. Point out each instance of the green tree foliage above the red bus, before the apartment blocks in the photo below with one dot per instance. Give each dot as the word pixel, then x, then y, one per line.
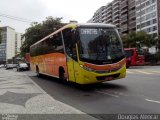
pixel 138 39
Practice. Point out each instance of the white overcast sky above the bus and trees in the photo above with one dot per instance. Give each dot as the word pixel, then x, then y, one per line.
pixel 38 10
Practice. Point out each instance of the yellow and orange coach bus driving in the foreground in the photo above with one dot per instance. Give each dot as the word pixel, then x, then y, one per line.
pixel 82 53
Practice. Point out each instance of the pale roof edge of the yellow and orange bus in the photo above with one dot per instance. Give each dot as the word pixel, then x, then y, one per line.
pixel 74 25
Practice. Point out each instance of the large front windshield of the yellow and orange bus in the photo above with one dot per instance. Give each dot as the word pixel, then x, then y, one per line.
pixel 100 45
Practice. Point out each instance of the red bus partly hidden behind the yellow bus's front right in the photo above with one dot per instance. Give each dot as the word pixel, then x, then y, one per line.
pixel 134 57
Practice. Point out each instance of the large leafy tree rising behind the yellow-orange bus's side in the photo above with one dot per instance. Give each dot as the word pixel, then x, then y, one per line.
pixel 37 31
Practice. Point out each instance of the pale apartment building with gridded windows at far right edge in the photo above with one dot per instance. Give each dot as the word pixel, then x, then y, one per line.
pixel 147 16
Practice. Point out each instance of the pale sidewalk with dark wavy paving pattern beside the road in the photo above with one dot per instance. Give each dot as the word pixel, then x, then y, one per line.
pixel 20 95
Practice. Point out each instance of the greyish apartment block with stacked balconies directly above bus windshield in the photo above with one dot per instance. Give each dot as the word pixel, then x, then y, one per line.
pixel 121 13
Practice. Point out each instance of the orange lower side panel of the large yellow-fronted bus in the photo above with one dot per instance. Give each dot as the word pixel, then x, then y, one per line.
pixel 49 63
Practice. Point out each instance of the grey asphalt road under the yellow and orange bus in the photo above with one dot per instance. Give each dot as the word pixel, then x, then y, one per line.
pixel 138 93
